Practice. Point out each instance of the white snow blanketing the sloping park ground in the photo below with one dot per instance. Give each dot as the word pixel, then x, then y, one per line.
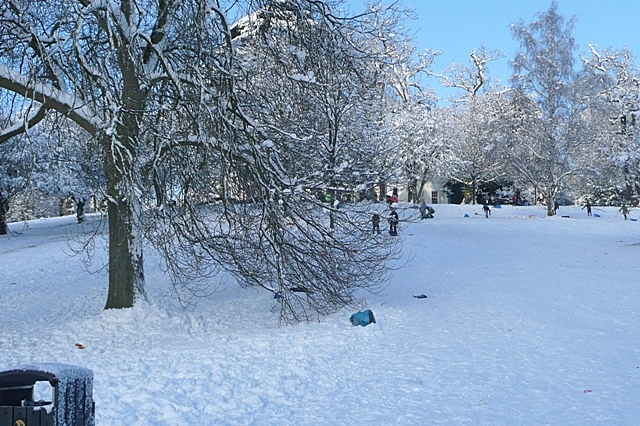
pixel 529 320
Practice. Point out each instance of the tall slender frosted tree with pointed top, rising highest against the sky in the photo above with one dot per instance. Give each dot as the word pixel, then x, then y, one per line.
pixel 545 69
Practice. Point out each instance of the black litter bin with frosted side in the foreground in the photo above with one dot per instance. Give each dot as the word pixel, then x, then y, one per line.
pixel 71 401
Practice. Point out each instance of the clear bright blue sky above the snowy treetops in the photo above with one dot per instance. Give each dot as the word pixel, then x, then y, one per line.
pixel 456 27
